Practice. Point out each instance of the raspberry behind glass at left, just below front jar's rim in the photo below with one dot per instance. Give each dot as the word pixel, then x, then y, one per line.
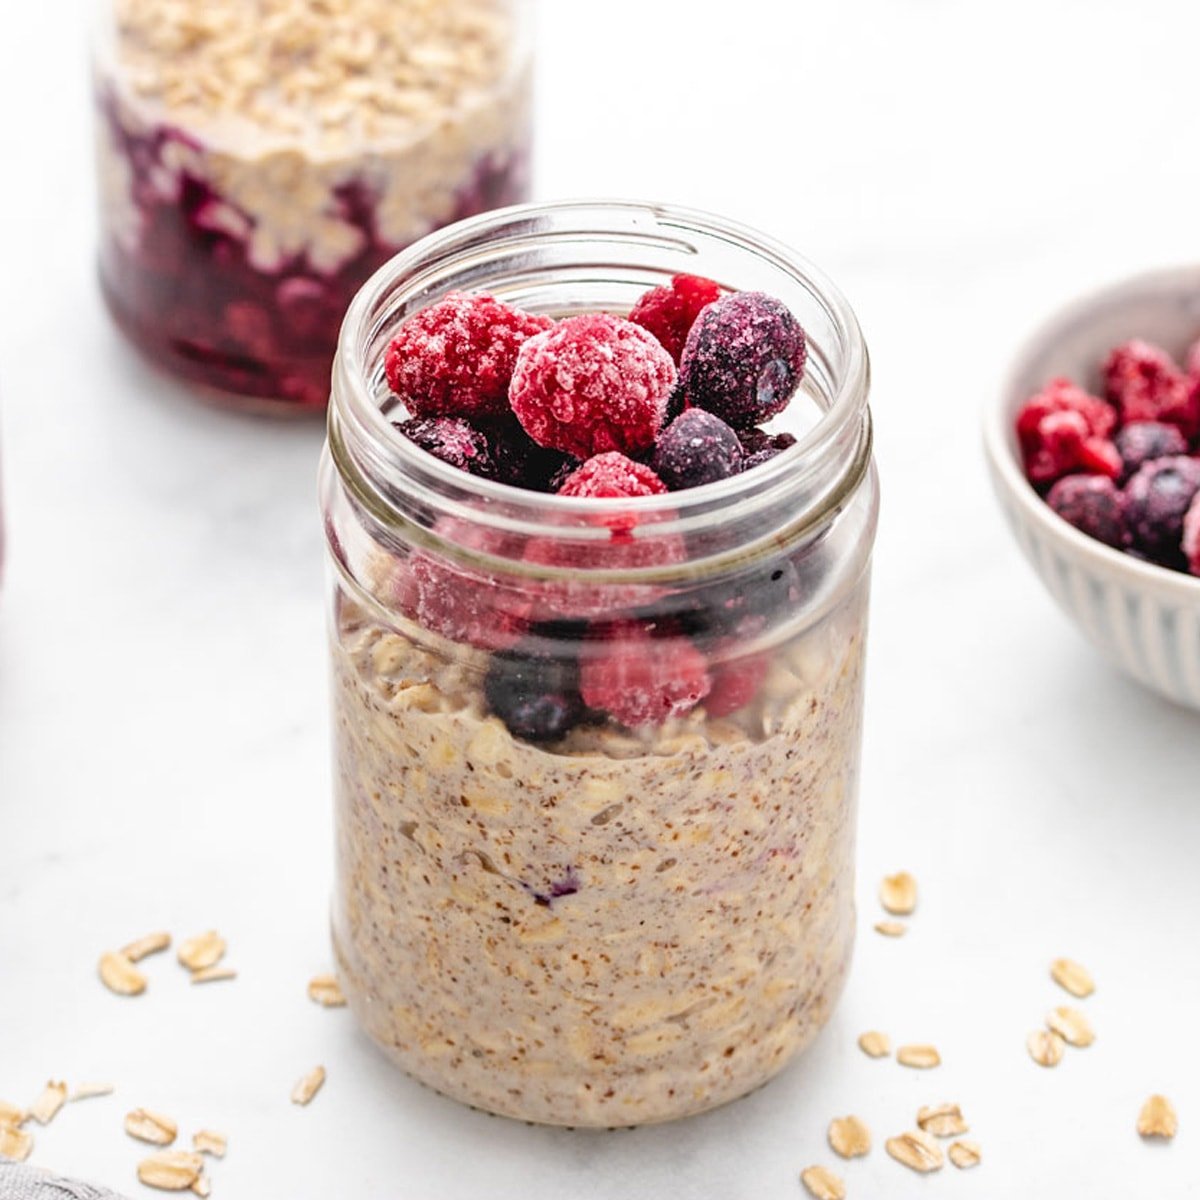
pixel 459 602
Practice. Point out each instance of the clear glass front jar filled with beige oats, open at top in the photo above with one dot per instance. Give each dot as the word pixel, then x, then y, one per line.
pixel 616 926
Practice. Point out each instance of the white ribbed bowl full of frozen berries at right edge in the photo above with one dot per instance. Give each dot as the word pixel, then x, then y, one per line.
pixel 1095 455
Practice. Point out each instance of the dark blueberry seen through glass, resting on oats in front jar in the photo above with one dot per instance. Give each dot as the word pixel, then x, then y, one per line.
pixel 536 695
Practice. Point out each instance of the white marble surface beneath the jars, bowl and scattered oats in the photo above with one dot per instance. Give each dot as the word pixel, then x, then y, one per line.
pixel 959 169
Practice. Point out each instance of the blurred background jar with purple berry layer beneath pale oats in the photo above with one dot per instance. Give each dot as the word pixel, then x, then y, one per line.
pixel 259 161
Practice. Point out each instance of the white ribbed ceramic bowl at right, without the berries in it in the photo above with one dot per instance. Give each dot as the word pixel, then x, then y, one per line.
pixel 1145 619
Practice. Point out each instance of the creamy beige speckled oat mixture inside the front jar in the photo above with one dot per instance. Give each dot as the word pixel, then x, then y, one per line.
pixel 622 931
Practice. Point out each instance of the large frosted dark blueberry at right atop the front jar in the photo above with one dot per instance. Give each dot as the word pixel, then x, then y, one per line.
pixel 745 359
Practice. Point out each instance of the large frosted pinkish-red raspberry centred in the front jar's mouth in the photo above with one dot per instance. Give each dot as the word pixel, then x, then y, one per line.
pixel 591 385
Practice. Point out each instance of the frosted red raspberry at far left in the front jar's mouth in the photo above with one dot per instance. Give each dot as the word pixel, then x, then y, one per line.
pixel 457 357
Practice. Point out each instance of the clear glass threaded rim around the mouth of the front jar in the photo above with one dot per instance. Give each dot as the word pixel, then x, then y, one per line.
pixel 361 429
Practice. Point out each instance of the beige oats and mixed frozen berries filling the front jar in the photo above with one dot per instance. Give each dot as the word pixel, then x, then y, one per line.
pixel 596 835
